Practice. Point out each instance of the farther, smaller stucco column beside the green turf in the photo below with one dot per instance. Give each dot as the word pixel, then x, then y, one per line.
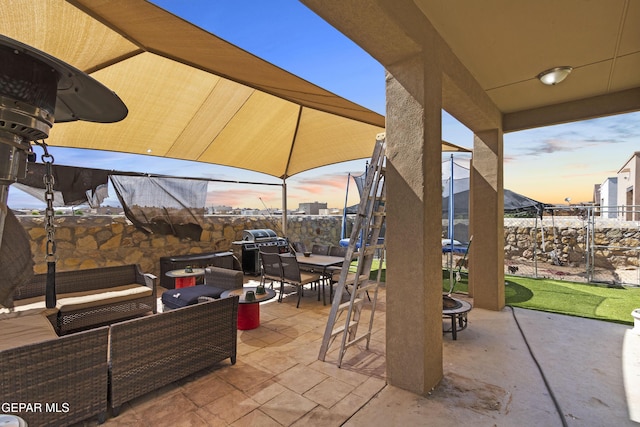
pixel 486 260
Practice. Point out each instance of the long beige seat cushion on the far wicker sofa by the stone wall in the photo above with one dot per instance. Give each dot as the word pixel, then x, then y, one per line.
pixel 79 300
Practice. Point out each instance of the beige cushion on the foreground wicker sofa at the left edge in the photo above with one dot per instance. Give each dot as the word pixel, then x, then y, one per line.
pixel 25 327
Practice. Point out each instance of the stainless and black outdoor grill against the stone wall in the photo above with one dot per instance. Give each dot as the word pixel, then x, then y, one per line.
pixel 248 249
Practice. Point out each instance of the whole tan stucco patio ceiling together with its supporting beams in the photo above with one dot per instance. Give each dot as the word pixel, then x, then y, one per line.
pixel 505 44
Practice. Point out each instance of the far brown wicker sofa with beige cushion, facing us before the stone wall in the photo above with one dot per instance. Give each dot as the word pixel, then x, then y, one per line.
pixel 91 297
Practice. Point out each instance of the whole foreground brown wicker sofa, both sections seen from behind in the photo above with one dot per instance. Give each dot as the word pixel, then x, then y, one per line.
pixel 77 376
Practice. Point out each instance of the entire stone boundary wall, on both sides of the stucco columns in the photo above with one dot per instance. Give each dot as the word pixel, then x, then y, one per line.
pixel 95 241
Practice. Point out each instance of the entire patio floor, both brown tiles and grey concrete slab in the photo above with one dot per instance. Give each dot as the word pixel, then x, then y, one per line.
pixel 490 376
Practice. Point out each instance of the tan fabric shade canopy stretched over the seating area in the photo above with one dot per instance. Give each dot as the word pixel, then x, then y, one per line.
pixel 190 94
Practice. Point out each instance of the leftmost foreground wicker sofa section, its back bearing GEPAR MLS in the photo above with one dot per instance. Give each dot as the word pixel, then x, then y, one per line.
pixel 63 379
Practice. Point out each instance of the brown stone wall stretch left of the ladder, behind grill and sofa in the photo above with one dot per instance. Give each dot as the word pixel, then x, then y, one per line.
pixel 96 241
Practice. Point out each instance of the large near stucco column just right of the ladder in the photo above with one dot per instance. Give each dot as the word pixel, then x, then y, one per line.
pixel 414 226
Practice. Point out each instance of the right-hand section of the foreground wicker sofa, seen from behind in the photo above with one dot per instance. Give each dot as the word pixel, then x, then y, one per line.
pixel 151 352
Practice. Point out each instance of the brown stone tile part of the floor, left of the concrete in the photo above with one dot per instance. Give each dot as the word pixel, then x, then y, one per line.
pixel 277 379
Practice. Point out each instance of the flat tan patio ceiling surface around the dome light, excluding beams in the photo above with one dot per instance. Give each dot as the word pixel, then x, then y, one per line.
pixel 505 44
